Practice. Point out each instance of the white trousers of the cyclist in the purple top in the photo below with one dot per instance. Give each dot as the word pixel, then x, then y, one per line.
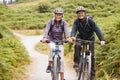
pixel 61 54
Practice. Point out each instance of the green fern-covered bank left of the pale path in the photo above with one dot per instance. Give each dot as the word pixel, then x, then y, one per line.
pixel 13 55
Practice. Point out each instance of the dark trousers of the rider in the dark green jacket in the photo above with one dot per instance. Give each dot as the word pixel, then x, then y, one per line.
pixel 78 48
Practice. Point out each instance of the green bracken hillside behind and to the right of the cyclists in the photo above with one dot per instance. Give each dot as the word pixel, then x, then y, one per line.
pixel 34 14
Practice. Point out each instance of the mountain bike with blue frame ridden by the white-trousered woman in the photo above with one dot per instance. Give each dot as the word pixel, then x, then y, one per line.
pixel 56 63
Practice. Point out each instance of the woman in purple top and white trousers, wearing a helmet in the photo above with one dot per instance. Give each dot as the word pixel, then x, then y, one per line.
pixel 55 30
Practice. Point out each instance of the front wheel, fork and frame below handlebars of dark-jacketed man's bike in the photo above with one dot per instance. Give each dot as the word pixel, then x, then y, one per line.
pixel 85 71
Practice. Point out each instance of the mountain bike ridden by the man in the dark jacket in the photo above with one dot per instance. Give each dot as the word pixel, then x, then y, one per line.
pixel 85 64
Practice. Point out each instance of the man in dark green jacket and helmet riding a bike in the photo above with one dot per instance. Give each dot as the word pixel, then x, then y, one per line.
pixel 85 27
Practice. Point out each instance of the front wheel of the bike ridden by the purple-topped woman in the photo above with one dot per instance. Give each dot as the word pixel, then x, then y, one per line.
pixel 56 68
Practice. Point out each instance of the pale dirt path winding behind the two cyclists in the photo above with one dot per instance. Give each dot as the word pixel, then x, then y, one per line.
pixel 36 70
